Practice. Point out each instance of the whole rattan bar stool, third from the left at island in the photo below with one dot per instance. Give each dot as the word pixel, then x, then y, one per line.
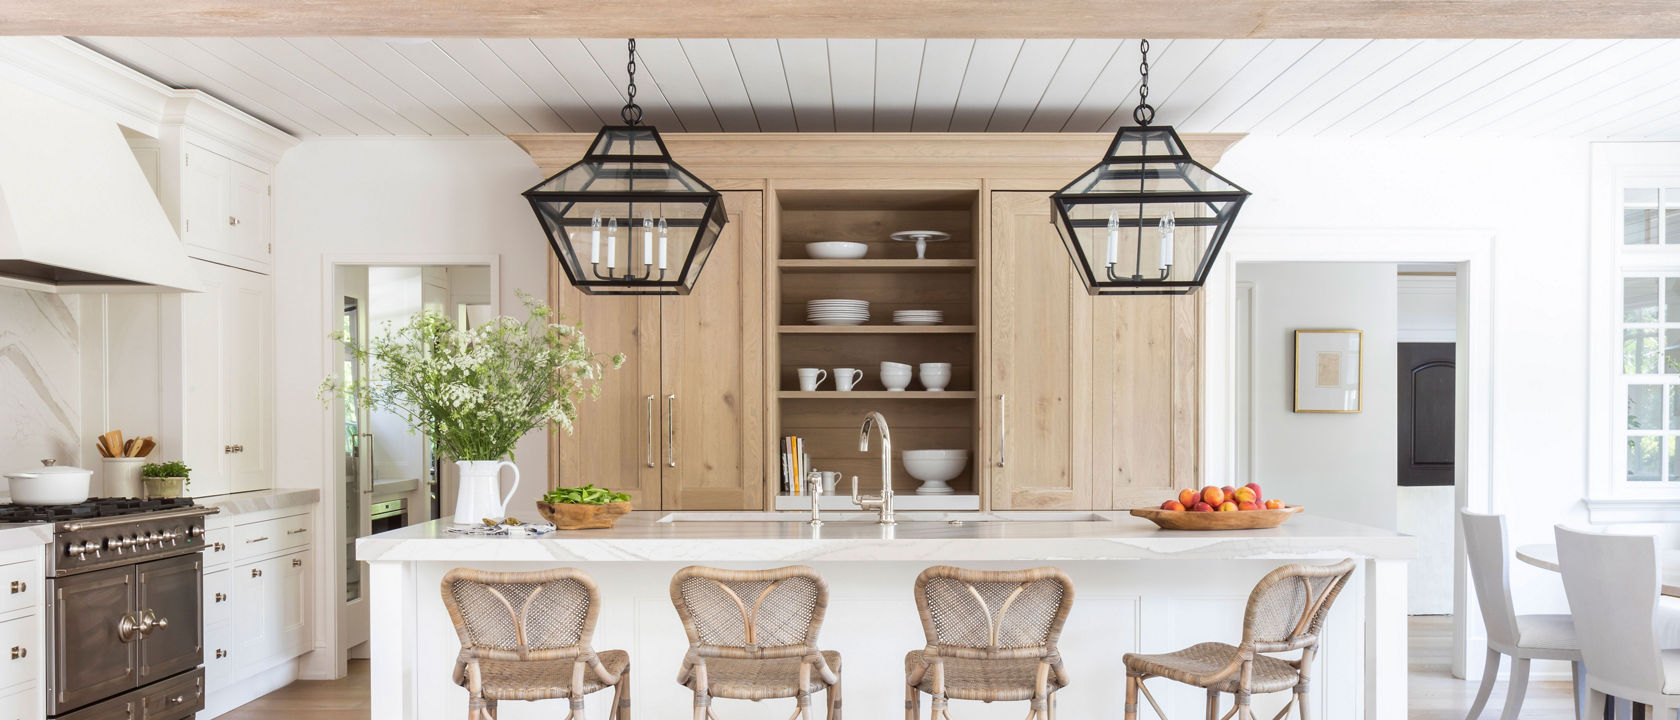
pixel 992 635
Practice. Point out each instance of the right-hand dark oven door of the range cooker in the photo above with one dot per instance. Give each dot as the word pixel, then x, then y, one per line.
pixel 171 605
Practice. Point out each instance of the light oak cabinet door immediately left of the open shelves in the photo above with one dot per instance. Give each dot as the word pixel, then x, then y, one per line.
pixel 713 373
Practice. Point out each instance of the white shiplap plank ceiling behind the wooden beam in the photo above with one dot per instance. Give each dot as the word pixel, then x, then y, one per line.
pixel 362 86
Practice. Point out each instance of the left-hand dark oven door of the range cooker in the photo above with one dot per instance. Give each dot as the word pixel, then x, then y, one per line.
pixel 93 657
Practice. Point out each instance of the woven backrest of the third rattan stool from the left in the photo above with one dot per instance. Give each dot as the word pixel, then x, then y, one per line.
pixel 994 610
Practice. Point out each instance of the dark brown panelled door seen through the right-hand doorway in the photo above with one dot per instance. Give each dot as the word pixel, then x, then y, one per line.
pixel 1427 409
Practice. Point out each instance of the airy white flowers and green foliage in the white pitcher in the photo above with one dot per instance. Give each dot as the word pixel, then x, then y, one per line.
pixel 478 392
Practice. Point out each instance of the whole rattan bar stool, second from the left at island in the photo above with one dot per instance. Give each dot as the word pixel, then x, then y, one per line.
pixel 753 637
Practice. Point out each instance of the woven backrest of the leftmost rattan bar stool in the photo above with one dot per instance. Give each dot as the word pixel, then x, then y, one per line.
pixel 543 615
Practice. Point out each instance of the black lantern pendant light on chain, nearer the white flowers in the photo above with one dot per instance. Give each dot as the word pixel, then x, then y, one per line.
pixel 629 221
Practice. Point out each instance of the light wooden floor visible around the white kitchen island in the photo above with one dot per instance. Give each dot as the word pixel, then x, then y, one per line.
pixel 1432 694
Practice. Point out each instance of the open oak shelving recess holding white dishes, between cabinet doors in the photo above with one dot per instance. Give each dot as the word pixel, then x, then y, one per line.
pixel 891 279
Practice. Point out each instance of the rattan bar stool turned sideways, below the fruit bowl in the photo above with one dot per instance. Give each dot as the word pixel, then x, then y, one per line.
pixel 1286 612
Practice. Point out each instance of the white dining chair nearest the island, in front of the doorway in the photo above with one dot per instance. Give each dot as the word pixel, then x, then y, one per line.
pixel 1521 637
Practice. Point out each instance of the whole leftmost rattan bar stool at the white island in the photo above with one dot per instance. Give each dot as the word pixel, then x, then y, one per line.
pixel 527 637
